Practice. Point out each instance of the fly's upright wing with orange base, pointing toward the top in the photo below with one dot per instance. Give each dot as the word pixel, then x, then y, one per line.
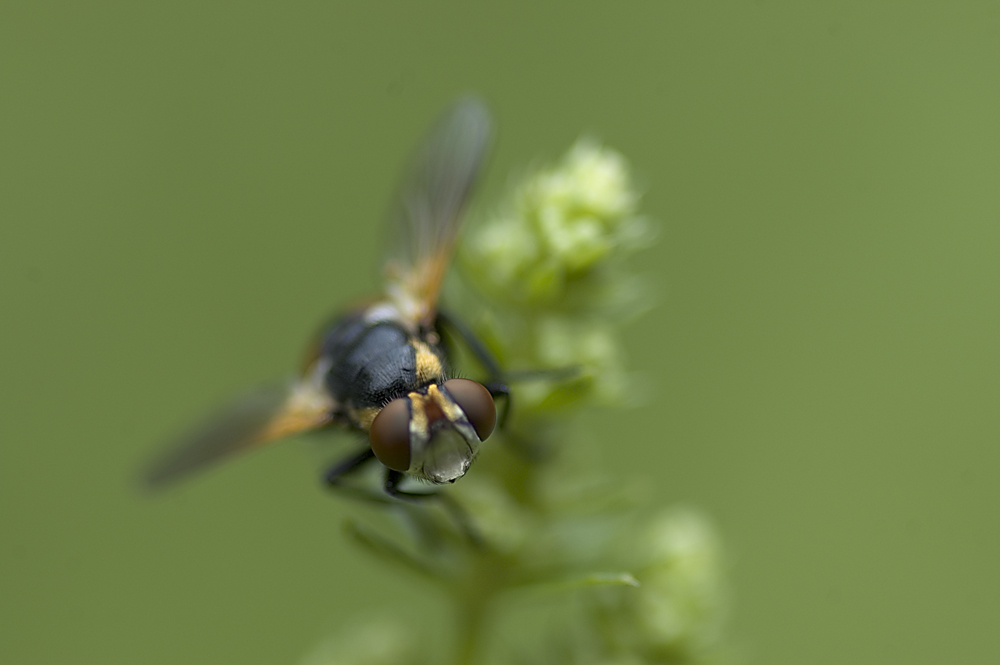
pixel 429 210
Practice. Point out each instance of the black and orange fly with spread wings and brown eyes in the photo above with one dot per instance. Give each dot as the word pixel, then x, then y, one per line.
pixel 382 369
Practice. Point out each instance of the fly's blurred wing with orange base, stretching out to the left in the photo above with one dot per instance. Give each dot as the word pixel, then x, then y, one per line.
pixel 263 416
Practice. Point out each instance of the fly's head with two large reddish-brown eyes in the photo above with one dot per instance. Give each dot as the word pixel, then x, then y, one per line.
pixel 436 434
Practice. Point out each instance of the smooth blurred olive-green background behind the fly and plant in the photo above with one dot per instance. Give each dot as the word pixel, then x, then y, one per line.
pixel 187 189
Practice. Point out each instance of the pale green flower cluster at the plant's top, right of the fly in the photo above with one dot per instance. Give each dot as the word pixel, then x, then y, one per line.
pixel 553 263
